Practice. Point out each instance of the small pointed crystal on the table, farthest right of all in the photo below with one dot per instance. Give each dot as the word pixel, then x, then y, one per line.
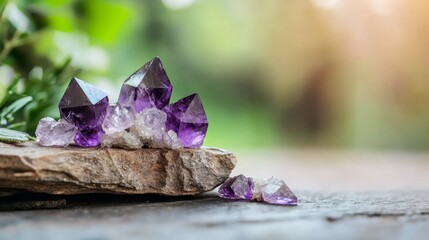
pixel 275 191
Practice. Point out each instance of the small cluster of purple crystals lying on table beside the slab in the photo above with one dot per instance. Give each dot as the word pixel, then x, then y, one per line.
pixel 272 191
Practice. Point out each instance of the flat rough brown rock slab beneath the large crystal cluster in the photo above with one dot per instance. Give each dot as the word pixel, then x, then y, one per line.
pixel 106 170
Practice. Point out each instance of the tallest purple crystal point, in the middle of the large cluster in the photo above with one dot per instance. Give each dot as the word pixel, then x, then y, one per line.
pixel 146 88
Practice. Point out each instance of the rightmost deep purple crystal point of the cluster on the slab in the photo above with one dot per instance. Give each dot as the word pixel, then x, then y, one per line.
pixel 188 119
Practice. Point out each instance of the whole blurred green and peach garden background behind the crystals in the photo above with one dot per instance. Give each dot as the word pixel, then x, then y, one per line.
pixel 296 73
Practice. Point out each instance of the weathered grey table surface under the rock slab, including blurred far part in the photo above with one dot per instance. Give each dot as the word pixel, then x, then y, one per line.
pixel 342 195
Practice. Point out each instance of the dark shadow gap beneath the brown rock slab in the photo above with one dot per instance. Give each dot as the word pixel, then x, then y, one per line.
pixel 13 200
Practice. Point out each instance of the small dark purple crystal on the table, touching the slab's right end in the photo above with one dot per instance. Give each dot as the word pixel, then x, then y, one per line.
pixel 238 187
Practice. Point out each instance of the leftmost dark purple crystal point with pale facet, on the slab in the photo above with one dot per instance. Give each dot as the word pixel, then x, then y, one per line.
pixel 84 106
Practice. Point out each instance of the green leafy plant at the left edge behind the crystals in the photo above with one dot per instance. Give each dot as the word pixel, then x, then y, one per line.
pixel 34 89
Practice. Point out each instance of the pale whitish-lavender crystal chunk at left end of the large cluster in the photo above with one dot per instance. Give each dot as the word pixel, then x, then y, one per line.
pixel 55 133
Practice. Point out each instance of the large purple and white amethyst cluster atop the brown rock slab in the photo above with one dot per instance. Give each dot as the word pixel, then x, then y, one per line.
pixel 143 115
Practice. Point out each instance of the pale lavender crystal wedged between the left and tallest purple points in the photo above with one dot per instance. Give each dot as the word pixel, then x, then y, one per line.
pixel 118 118
